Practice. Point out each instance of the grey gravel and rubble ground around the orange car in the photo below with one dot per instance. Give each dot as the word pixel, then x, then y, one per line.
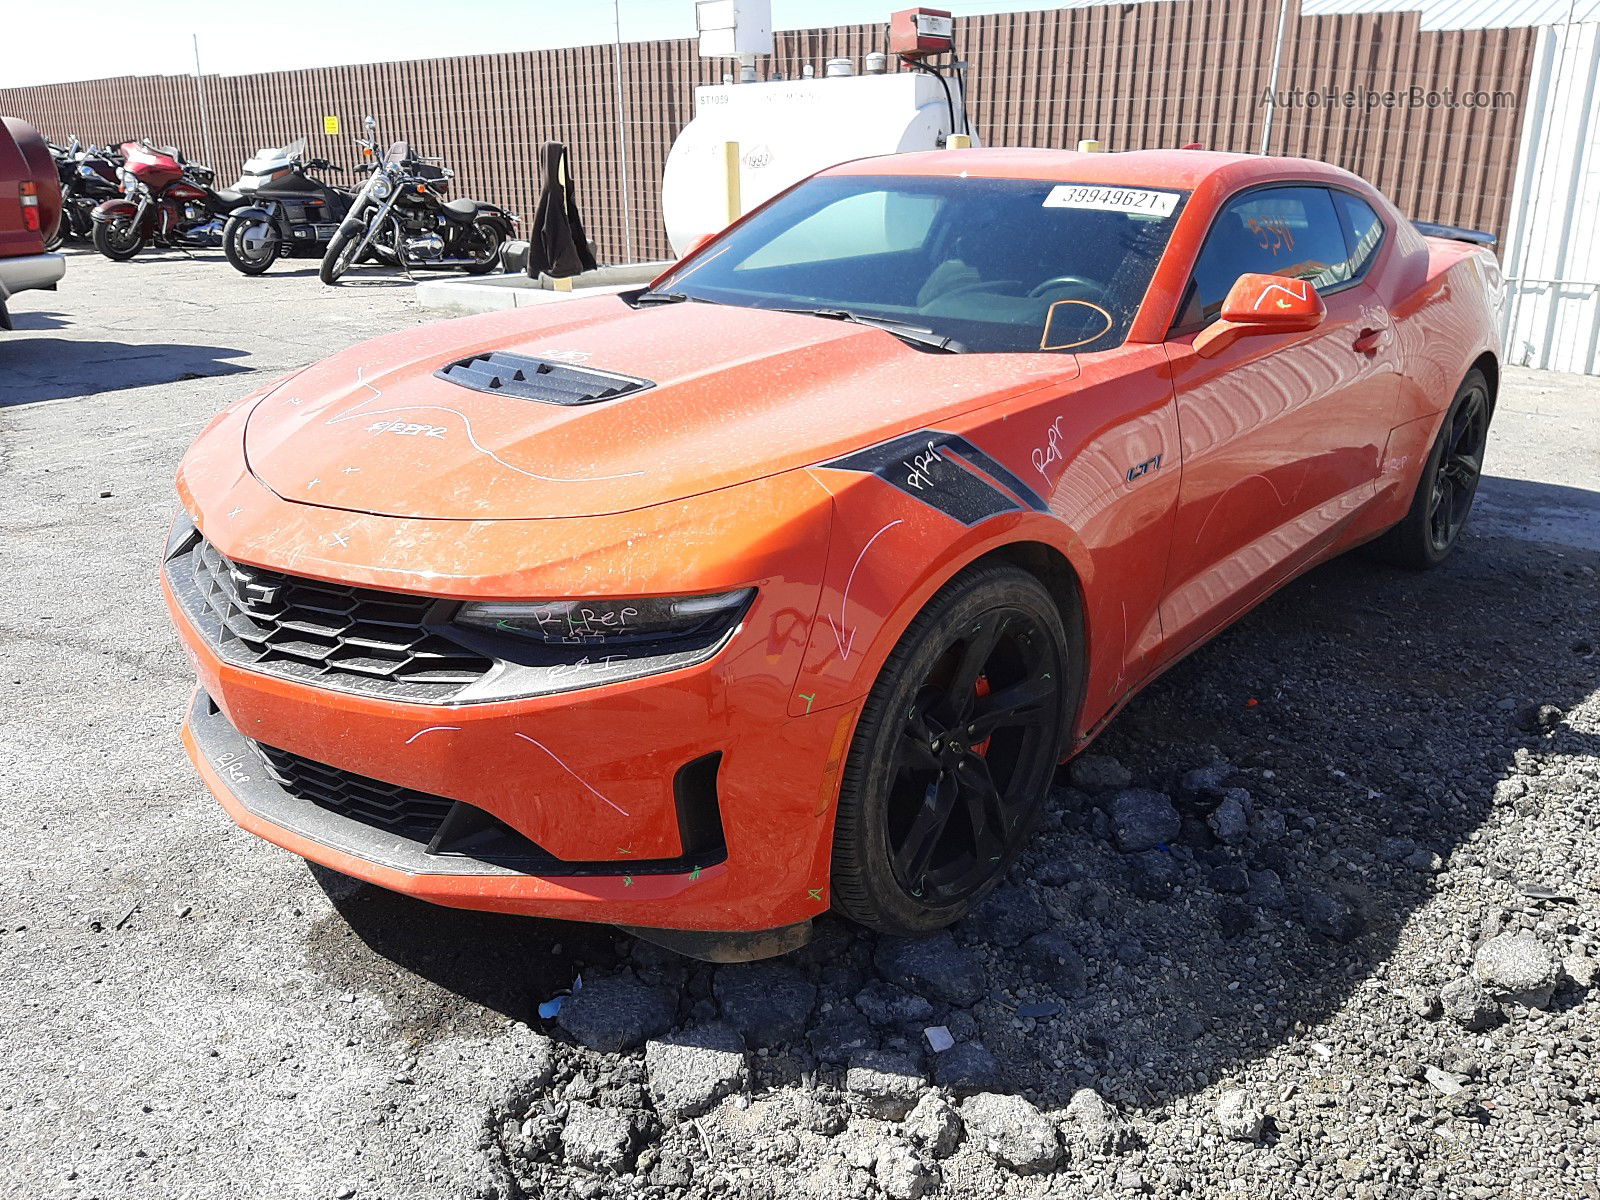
pixel 1319 918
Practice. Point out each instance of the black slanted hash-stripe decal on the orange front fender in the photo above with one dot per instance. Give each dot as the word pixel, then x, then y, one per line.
pixel 943 473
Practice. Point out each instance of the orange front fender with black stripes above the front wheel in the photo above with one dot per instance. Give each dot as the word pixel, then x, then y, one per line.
pixel 1090 473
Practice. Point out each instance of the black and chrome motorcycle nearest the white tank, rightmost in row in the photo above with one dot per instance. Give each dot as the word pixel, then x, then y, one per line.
pixel 402 212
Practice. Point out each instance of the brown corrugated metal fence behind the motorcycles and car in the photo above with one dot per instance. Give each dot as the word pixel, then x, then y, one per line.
pixel 1367 92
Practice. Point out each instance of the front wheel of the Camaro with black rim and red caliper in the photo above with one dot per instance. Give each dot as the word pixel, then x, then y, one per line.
pixel 927 822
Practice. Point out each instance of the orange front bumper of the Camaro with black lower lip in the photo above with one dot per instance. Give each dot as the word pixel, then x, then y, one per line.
pixel 596 785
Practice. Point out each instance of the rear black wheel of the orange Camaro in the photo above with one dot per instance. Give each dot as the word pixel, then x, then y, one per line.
pixel 1450 481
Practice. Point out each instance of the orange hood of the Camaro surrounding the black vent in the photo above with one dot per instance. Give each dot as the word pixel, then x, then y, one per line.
pixel 737 394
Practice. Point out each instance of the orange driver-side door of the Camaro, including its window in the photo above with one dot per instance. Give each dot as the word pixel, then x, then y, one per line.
pixel 1281 433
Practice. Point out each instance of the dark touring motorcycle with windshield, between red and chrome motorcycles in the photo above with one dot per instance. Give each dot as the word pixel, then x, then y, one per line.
pixel 290 215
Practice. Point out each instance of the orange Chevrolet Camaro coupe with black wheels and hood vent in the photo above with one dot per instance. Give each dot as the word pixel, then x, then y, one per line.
pixel 786 583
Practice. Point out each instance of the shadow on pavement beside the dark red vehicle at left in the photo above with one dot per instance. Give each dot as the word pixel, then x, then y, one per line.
pixel 31 367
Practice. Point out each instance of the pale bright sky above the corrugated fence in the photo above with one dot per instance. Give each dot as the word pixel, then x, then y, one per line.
pixel 236 39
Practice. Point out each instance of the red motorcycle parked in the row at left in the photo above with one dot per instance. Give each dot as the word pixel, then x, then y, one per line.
pixel 166 201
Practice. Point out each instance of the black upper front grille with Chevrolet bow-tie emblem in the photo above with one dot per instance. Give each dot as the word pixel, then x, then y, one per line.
pixel 350 639
